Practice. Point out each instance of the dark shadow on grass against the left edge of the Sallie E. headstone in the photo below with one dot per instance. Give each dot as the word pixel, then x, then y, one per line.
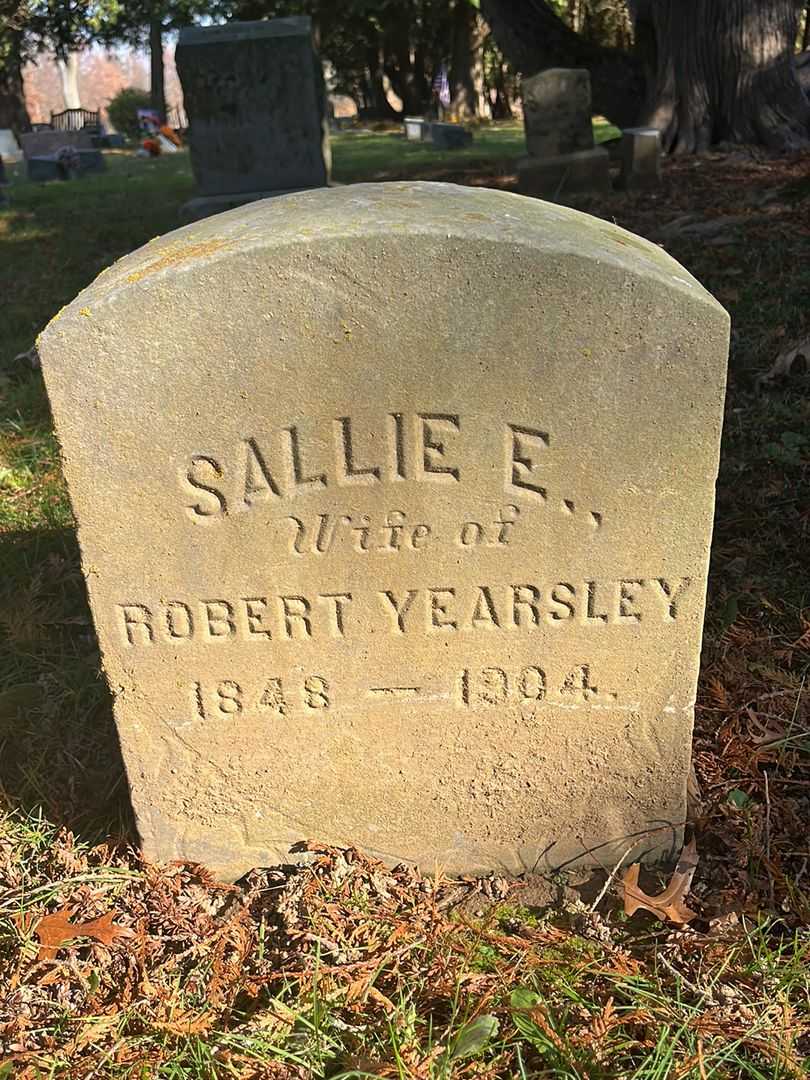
pixel 59 747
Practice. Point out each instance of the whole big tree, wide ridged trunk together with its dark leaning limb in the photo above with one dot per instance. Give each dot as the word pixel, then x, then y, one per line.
pixel 705 71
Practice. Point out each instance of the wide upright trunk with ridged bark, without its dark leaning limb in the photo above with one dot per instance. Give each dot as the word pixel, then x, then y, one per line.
pixel 725 72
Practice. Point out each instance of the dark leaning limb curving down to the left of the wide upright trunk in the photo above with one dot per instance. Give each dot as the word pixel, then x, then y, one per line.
pixel 533 37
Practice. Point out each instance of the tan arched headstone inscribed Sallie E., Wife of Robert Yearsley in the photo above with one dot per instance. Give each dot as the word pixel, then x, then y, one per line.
pixel 434 587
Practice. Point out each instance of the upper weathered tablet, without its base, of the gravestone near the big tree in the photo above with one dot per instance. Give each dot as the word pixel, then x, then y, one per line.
pixel 557 112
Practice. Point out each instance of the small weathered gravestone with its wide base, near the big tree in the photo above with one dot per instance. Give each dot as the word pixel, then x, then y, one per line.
pixel 562 157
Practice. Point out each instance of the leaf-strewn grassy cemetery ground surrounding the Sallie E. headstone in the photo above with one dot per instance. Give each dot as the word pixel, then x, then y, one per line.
pixel 345 968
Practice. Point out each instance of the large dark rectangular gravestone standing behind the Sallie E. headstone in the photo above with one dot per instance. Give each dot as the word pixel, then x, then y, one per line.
pixel 256 103
